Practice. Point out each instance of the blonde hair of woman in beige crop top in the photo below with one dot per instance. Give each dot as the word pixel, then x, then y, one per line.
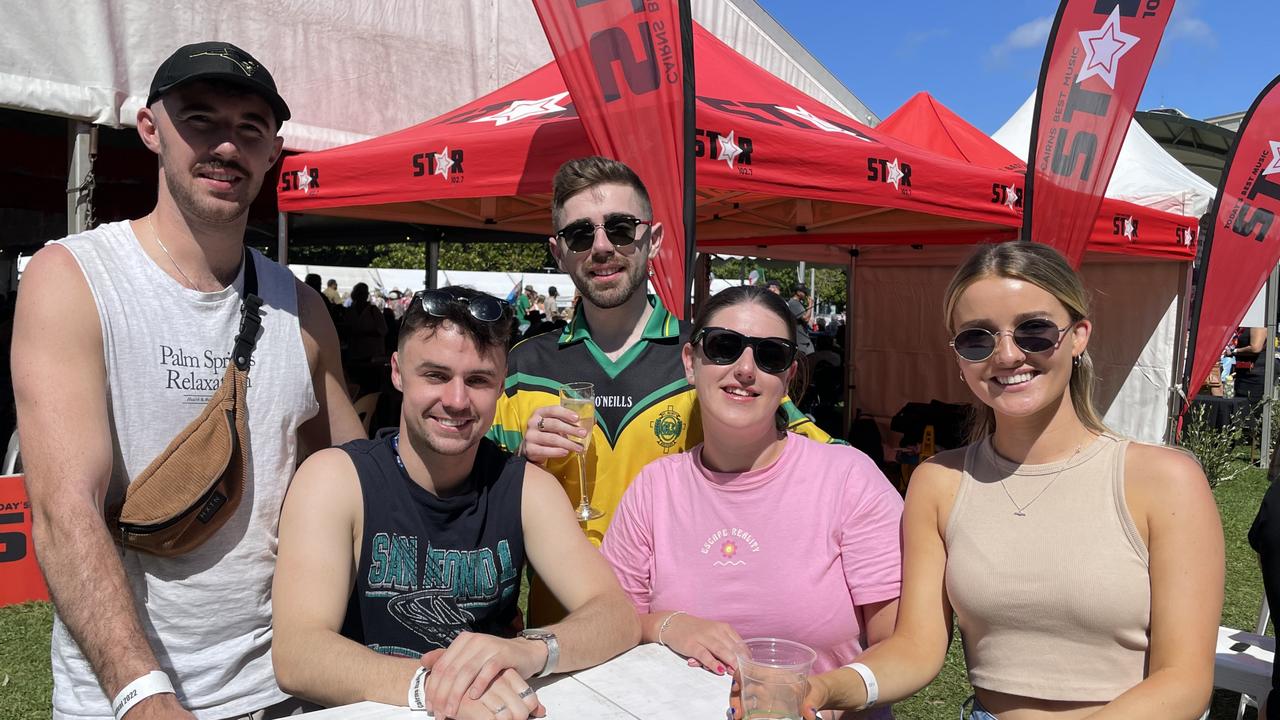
pixel 1045 268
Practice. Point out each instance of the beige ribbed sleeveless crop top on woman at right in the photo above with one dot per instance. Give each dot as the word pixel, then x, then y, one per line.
pixel 1055 604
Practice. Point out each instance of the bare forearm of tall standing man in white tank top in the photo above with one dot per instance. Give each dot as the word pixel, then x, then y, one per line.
pixel 92 594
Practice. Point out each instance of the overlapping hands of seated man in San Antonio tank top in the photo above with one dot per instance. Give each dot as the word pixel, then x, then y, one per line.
pixel 473 663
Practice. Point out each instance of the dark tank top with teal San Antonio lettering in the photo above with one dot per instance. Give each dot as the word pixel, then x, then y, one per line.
pixel 435 567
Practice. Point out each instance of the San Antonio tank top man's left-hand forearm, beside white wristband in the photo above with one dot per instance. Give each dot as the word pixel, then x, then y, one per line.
pixel 330 669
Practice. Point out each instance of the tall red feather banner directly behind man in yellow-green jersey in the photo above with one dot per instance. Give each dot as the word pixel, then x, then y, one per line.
pixel 629 70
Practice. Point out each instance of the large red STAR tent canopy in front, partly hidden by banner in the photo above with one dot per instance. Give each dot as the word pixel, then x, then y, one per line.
pixel 774 166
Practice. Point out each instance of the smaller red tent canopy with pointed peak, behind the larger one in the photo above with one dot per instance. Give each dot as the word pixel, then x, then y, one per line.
pixel 1121 227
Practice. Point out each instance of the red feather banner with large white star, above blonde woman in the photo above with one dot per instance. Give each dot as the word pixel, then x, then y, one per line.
pixel 1098 61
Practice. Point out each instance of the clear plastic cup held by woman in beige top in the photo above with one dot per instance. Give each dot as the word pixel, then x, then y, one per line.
pixel 775 677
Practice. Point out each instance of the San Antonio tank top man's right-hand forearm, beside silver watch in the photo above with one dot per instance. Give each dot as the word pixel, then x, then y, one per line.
pixel 596 632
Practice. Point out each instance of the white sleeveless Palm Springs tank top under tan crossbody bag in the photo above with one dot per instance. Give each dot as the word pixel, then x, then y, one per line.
pixel 208 614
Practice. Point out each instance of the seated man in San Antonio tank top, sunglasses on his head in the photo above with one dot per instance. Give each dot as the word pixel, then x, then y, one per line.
pixel 401 558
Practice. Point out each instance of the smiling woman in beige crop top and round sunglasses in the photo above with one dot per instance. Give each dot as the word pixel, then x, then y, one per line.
pixel 1086 572
